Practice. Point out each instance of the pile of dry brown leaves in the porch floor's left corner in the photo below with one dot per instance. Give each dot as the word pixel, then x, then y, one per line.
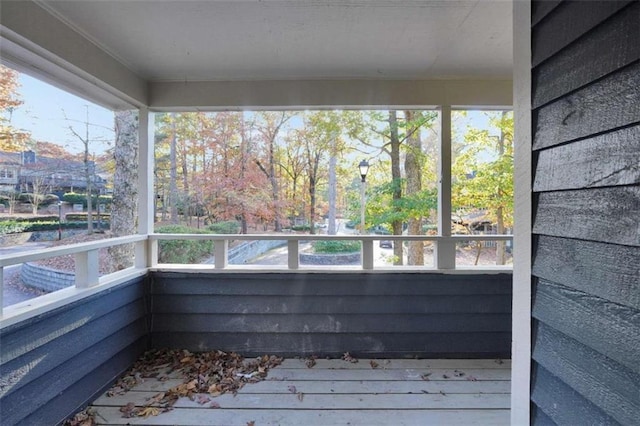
pixel 204 375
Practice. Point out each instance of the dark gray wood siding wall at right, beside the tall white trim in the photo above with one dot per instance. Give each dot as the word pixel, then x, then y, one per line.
pixel 586 143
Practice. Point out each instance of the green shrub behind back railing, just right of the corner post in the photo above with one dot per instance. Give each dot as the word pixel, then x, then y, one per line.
pixel 183 251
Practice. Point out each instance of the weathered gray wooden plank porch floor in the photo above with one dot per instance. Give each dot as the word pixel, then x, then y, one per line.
pixel 337 392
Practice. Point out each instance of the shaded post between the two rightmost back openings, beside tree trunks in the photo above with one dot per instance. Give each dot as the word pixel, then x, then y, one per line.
pixel 445 249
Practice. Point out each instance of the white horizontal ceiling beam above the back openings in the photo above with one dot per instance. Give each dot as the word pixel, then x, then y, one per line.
pixel 300 94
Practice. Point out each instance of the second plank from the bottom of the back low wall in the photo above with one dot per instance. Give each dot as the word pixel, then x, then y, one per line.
pixel 340 323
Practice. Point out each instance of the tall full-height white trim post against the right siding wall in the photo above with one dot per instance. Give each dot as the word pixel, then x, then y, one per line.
pixel 521 304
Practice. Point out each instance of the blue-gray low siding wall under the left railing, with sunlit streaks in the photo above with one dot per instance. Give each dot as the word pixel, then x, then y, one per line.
pixel 54 364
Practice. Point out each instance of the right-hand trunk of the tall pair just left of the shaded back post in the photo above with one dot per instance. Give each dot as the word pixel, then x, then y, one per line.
pixel 413 170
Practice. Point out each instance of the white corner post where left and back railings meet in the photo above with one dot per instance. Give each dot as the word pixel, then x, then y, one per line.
pixel 145 255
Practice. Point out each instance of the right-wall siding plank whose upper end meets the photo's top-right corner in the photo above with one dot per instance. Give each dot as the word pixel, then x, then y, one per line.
pixel 602 51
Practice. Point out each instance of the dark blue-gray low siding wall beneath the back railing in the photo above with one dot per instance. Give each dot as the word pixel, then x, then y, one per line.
pixel 327 314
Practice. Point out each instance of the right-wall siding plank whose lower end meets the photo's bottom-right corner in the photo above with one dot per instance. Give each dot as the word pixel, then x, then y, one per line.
pixel 612 387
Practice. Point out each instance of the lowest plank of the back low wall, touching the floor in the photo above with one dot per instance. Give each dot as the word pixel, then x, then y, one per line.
pixel 394 345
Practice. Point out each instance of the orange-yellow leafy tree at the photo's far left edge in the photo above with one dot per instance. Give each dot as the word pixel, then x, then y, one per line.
pixel 11 139
